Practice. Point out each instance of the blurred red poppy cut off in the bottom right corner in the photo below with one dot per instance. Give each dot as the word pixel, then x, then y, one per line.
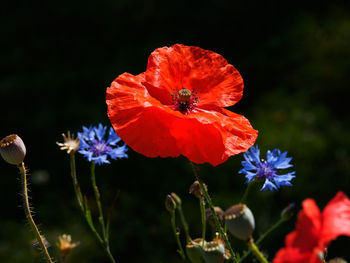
pixel 315 230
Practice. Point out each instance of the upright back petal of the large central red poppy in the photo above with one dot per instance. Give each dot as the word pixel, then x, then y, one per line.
pixel 203 71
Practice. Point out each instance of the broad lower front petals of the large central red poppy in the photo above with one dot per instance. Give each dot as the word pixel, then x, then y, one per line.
pixel 202 136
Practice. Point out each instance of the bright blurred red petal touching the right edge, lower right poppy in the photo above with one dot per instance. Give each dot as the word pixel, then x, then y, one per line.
pixel 336 219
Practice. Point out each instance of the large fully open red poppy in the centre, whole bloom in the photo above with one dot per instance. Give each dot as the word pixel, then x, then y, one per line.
pixel 176 107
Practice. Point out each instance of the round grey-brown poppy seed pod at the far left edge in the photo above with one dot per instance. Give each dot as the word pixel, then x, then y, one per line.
pixel 12 149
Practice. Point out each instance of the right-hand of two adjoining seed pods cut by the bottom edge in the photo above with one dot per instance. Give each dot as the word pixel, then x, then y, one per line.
pixel 215 251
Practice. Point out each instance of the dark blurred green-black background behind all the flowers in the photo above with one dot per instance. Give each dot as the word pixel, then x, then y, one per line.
pixel 58 57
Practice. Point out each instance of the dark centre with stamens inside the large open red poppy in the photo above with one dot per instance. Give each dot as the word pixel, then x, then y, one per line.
pixel 184 100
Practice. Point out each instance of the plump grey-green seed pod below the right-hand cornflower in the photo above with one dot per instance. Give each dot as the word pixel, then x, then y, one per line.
pixel 240 221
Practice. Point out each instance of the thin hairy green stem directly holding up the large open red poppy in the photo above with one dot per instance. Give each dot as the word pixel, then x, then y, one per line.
pixel 216 219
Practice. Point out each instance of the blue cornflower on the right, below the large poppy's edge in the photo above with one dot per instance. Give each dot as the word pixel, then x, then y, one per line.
pixel 254 167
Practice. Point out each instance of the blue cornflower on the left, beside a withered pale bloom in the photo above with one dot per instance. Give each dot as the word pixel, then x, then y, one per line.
pixel 95 148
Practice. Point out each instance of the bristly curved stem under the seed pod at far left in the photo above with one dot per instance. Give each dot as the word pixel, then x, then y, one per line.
pixel 27 211
